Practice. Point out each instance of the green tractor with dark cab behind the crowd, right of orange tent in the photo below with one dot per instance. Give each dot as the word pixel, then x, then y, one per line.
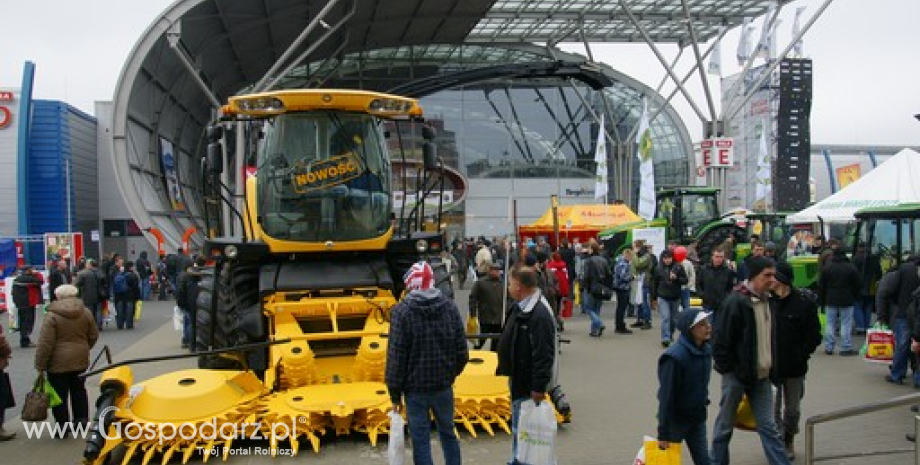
pixel 687 214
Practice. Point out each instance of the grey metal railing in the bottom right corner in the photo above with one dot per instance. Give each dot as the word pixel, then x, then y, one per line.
pixel 910 399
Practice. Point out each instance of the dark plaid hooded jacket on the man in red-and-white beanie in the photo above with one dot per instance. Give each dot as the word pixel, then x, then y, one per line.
pixel 426 346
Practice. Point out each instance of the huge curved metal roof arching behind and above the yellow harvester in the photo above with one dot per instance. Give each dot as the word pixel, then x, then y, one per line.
pixel 197 53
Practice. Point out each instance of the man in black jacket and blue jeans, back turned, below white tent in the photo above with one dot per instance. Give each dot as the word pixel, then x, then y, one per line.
pixel 838 288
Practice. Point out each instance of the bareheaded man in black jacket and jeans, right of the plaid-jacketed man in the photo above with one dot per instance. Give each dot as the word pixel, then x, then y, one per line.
pixel 527 348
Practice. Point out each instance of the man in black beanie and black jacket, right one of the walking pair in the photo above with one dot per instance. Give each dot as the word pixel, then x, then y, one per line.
pixel 798 334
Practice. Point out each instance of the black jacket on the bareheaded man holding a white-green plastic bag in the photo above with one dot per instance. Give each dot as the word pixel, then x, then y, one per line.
pixel 527 348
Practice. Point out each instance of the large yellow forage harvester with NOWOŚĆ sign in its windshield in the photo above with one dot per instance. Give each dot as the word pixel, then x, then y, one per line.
pixel 291 320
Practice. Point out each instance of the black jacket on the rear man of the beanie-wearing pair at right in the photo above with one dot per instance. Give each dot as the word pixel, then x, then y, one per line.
pixel 797 334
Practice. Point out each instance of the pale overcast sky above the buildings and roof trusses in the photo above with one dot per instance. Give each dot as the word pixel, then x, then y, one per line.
pixel 866 60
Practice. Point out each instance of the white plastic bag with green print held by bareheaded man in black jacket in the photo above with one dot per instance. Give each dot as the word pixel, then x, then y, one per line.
pixel 536 434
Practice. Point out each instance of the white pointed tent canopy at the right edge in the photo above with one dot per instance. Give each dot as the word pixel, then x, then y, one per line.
pixel 894 182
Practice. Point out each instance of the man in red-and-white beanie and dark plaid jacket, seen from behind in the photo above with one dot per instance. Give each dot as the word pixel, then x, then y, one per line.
pixel 426 352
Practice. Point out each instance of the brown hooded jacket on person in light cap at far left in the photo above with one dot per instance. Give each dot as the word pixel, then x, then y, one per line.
pixel 67 335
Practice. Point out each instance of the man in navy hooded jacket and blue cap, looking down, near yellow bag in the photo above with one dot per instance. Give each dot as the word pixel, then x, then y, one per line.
pixel 683 393
